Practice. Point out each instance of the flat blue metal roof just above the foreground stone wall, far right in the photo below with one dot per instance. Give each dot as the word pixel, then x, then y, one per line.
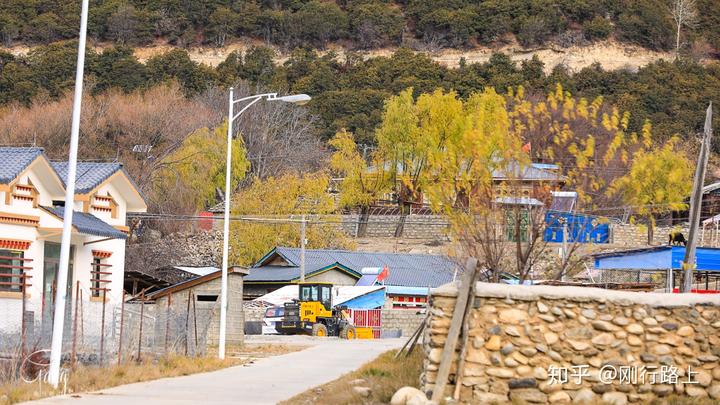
pixel 658 258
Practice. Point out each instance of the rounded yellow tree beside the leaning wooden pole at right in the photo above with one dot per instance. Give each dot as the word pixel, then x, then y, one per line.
pixel 658 182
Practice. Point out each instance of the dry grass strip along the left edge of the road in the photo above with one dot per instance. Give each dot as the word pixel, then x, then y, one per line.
pixel 93 378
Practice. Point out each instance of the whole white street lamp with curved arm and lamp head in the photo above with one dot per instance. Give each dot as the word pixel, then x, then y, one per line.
pixel 298 99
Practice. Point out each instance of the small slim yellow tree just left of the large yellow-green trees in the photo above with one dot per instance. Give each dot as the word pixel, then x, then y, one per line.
pixel 361 184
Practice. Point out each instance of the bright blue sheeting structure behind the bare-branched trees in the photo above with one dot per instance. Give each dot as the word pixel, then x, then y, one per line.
pixel 581 228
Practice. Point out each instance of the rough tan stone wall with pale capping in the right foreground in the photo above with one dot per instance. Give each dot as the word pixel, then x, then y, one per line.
pixel 543 344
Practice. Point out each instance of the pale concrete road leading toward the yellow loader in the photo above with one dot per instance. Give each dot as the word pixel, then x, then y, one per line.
pixel 267 381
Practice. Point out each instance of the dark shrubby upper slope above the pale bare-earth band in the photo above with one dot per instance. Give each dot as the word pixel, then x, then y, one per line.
pixel 367 24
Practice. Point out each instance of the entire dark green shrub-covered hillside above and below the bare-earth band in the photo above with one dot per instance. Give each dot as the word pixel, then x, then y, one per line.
pixel 349 91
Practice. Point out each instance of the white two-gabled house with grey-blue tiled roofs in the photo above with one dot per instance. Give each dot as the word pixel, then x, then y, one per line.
pixel 32 193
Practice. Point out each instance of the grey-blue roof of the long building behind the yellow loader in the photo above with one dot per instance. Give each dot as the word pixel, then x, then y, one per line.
pixel 406 269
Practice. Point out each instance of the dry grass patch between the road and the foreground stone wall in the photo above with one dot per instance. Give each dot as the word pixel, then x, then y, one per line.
pixel 384 376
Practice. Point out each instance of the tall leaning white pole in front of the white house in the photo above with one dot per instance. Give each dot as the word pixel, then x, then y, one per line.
pixel 61 277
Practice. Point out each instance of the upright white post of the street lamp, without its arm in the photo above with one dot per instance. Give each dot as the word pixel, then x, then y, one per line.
pixel 226 235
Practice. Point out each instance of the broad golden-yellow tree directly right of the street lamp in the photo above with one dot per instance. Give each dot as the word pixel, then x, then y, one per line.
pixel 269 202
